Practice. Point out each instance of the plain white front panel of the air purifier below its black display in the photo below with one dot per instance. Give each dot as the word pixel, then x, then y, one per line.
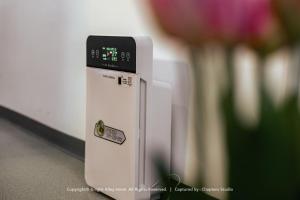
pixel 112 131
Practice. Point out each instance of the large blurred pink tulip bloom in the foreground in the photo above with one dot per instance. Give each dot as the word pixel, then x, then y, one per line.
pixel 230 21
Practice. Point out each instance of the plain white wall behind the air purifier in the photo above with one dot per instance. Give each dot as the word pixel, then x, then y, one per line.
pixel 42 53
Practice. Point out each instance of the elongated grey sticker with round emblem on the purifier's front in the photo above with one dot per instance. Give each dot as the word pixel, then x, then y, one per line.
pixel 109 133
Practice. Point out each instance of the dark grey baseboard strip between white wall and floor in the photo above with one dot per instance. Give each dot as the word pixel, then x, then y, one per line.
pixel 66 142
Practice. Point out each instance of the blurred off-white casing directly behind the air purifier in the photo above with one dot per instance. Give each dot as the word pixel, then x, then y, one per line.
pixel 177 75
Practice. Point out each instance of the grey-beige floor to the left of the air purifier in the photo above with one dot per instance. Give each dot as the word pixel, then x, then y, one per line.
pixel 33 169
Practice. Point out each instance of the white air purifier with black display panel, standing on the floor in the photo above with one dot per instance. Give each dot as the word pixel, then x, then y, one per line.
pixel 128 117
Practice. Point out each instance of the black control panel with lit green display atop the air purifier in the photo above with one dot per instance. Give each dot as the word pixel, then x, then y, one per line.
pixel 110 52
